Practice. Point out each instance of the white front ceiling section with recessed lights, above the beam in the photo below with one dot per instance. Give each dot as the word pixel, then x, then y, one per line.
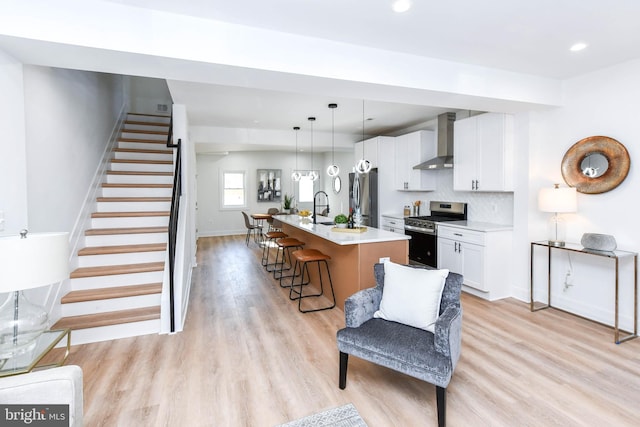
pixel 531 37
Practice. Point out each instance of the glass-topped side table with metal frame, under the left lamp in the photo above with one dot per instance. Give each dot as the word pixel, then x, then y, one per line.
pixel 30 360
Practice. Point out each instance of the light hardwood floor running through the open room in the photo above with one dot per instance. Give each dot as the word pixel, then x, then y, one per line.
pixel 248 358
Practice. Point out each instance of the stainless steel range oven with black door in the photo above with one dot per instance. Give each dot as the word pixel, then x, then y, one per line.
pixel 423 245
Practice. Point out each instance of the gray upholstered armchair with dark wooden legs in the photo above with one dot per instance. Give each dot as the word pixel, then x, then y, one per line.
pixel 431 357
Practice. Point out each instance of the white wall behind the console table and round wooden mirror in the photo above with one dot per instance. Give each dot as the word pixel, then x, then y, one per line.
pixel 599 103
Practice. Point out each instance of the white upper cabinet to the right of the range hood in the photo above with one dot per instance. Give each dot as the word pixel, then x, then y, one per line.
pixel 483 153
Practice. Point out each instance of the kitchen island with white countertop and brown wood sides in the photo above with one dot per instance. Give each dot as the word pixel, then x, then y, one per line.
pixel 352 254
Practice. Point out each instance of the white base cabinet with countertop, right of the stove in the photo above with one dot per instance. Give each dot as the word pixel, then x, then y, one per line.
pixel 479 256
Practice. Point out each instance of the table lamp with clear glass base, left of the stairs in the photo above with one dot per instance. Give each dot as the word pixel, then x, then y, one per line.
pixel 26 262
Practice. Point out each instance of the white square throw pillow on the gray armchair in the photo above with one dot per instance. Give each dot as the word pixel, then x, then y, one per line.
pixel 411 295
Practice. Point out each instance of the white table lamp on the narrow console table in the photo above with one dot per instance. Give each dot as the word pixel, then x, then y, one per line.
pixel 557 200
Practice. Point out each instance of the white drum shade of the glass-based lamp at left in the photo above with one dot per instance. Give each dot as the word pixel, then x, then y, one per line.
pixel 39 259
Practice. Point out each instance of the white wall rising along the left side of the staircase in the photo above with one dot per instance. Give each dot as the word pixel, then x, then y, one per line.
pixel 70 116
